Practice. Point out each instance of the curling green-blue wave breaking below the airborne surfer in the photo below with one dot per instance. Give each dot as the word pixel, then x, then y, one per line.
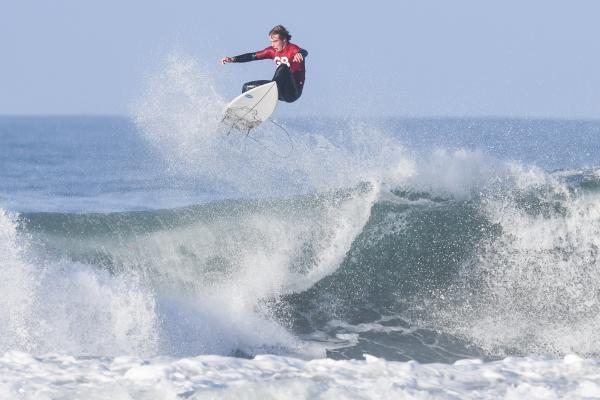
pixel 509 268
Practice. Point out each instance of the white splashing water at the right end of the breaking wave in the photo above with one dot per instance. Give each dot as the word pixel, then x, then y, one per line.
pixel 533 286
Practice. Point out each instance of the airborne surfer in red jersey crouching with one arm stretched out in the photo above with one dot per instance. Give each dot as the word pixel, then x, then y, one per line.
pixel 289 59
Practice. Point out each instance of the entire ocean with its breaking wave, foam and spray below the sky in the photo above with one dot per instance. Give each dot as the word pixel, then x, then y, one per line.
pixel 152 256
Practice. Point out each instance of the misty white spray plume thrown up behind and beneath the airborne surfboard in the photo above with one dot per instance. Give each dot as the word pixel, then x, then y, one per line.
pixel 179 112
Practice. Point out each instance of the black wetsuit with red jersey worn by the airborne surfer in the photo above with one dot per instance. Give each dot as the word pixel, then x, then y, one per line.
pixel 289 74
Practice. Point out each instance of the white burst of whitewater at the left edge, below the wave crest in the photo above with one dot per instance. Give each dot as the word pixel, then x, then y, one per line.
pixel 68 306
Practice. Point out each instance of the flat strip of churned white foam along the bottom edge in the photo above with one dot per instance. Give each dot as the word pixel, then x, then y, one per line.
pixel 268 376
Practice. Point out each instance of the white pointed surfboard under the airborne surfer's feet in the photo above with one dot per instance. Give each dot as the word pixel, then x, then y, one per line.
pixel 251 108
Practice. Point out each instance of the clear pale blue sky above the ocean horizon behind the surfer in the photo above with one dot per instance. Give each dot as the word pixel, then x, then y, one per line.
pixel 401 58
